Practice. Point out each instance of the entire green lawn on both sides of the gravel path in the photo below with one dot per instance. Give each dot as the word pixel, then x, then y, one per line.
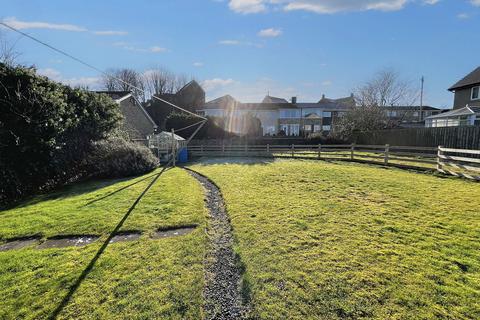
pixel 318 240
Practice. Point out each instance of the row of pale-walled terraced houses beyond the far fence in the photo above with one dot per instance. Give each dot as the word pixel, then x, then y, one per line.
pixel 278 116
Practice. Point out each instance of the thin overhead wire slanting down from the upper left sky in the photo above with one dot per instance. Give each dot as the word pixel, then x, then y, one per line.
pixel 96 69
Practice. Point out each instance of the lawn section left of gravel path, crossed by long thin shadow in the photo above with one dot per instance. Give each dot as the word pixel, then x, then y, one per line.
pixel 141 279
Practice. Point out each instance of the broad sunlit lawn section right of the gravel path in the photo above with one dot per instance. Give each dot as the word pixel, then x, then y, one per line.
pixel 326 240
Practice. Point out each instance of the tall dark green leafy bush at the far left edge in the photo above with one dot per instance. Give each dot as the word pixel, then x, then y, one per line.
pixel 46 128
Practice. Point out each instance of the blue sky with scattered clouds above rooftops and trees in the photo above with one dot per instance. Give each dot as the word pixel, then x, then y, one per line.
pixel 247 48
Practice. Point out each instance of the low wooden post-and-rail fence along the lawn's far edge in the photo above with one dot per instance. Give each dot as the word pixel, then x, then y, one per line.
pixel 457 162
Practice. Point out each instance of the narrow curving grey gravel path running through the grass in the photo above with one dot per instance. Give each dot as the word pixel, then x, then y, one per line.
pixel 223 299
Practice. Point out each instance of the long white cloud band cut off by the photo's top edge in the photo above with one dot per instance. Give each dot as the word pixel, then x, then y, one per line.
pixel 324 6
